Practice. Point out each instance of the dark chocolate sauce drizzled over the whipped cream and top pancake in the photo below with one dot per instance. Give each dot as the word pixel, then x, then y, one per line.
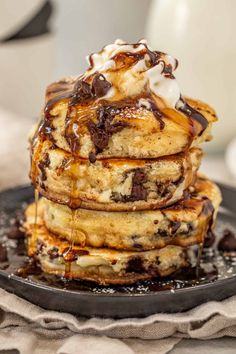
pixel 85 91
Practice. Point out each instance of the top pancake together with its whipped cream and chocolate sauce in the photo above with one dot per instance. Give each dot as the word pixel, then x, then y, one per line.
pixel 119 110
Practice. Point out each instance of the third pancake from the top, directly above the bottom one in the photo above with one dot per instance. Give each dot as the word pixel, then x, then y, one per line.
pixel 184 223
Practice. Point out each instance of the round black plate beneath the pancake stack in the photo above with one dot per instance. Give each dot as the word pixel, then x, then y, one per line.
pixel 143 299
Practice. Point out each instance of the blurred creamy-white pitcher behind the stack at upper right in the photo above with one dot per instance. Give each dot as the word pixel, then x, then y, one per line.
pixel 202 35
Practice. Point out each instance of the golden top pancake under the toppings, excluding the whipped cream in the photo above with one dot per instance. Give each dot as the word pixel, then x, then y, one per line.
pixel 140 137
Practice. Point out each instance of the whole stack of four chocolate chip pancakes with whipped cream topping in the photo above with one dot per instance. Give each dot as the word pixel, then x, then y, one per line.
pixel 115 158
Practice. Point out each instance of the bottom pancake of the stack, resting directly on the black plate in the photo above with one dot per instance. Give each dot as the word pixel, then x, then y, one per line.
pixel 102 265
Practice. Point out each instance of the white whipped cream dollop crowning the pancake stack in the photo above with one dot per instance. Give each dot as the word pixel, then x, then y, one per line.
pixel 152 71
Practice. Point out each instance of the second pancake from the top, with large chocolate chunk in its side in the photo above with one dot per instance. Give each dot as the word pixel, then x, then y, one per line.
pixel 112 184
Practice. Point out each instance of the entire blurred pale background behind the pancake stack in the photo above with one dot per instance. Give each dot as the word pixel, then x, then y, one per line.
pixel 199 33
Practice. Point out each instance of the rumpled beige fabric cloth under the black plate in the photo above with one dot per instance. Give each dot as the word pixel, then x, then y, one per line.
pixel 31 329
